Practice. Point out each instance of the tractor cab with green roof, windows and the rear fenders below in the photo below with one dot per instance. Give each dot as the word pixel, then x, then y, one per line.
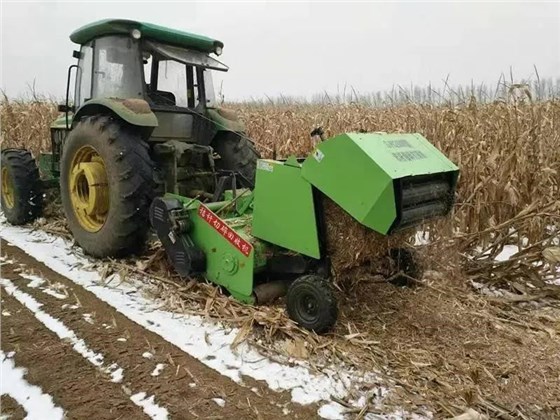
pixel 149 76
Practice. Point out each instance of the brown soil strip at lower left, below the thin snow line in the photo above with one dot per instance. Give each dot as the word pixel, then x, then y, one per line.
pixel 58 370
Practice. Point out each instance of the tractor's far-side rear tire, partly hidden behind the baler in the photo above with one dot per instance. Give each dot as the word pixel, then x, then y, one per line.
pixel 237 153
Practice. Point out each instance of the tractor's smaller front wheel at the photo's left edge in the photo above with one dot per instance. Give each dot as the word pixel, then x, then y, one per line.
pixel 22 196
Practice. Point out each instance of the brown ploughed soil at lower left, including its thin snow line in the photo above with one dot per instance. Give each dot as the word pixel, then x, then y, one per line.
pixel 133 359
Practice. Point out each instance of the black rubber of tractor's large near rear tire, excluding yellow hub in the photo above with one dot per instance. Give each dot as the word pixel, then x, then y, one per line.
pixel 131 180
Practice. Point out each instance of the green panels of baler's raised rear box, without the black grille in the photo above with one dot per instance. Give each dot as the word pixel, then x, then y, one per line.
pixel 357 171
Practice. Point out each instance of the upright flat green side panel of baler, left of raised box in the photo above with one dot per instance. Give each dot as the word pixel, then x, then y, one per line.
pixel 284 212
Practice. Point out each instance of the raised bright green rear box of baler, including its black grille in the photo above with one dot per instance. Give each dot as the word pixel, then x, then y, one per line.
pixel 386 182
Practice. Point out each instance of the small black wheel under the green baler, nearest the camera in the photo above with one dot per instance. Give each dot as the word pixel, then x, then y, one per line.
pixel 312 303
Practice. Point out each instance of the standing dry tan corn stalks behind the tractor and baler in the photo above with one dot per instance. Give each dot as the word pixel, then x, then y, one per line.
pixel 508 151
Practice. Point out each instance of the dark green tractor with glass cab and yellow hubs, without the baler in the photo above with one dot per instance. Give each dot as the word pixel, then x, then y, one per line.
pixel 144 121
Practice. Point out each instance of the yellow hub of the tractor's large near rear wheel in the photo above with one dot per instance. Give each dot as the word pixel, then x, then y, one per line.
pixel 89 190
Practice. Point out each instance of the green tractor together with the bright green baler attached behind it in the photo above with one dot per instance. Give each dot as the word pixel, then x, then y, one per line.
pixel 145 145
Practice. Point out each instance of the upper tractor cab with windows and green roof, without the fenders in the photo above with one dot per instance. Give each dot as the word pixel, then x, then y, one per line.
pixel 122 62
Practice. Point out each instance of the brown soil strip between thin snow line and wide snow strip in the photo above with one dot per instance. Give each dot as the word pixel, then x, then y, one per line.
pixel 183 385
